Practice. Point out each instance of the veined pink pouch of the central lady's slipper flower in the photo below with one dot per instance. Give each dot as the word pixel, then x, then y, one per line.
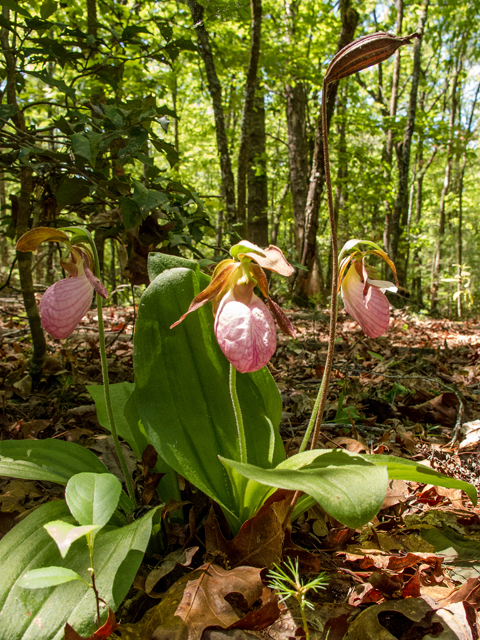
pixel 245 331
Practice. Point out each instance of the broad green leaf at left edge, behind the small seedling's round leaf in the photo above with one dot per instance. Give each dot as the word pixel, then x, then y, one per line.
pixel 50 460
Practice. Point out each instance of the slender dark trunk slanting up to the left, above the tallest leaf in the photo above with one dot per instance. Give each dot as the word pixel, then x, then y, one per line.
pixel 215 90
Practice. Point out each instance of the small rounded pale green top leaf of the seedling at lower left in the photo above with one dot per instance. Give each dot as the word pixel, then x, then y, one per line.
pixel 93 497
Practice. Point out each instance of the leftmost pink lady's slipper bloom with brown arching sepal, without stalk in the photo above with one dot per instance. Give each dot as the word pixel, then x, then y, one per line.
pixel 66 302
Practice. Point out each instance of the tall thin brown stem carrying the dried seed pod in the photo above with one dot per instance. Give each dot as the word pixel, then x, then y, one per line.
pixel 319 407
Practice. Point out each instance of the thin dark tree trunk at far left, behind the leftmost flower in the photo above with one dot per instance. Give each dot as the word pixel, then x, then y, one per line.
pixel 23 214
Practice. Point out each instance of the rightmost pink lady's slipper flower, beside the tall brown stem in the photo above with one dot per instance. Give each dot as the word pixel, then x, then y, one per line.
pixel 364 299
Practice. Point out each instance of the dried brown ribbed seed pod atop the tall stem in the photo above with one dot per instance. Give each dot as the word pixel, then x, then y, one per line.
pixel 364 52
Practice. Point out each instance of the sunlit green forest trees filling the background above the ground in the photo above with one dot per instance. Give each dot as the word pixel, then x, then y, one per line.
pixel 182 127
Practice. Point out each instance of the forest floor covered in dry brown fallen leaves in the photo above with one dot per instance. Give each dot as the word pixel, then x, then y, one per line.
pixel 413 572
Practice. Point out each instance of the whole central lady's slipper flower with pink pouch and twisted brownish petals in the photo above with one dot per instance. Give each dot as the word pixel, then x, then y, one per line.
pixel 244 325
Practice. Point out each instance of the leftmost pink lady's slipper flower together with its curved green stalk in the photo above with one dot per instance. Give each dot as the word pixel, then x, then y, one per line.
pixel 65 303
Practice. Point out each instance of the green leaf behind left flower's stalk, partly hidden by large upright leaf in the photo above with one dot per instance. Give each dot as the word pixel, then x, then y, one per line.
pixel 129 427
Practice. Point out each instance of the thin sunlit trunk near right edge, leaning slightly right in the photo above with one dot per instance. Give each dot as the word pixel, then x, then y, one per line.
pixel 446 184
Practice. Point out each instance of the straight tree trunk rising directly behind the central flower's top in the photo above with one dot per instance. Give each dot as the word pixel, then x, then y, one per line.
pixel 257 176
